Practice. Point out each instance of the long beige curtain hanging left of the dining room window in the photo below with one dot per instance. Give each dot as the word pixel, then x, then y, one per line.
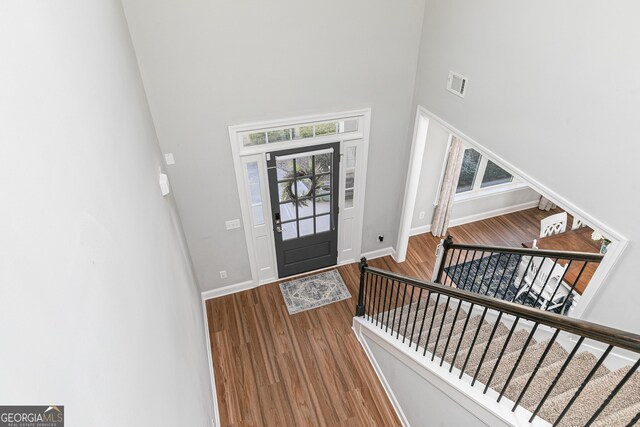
pixel 442 212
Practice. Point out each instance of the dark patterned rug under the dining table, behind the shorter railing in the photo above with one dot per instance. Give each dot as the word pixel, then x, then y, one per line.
pixel 494 276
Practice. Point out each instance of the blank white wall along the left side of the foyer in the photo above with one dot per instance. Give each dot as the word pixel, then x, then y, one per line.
pixel 98 305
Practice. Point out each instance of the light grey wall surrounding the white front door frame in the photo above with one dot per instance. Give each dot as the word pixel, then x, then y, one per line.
pixel 207 65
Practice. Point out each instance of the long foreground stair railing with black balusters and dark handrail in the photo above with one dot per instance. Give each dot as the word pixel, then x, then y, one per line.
pixel 386 298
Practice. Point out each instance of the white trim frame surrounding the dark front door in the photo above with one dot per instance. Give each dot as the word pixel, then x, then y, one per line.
pixel 239 152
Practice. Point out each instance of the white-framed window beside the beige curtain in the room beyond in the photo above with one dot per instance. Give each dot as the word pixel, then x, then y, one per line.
pixel 479 172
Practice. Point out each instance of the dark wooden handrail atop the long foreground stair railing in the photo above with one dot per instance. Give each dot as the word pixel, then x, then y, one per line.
pixel 604 334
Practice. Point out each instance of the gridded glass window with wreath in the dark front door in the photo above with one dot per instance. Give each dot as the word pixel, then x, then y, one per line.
pixel 291 198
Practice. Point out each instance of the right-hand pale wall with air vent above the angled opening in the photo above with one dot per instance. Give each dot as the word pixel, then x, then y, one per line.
pixel 554 88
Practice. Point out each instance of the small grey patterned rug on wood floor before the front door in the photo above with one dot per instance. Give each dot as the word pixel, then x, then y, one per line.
pixel 314 291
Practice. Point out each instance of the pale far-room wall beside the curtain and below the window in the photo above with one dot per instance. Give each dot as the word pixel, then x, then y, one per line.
pixel 463 210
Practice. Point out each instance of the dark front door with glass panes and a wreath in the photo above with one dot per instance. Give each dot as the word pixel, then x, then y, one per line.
pixel 303 186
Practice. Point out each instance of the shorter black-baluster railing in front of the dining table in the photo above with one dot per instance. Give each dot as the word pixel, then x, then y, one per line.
pixel 548 280
